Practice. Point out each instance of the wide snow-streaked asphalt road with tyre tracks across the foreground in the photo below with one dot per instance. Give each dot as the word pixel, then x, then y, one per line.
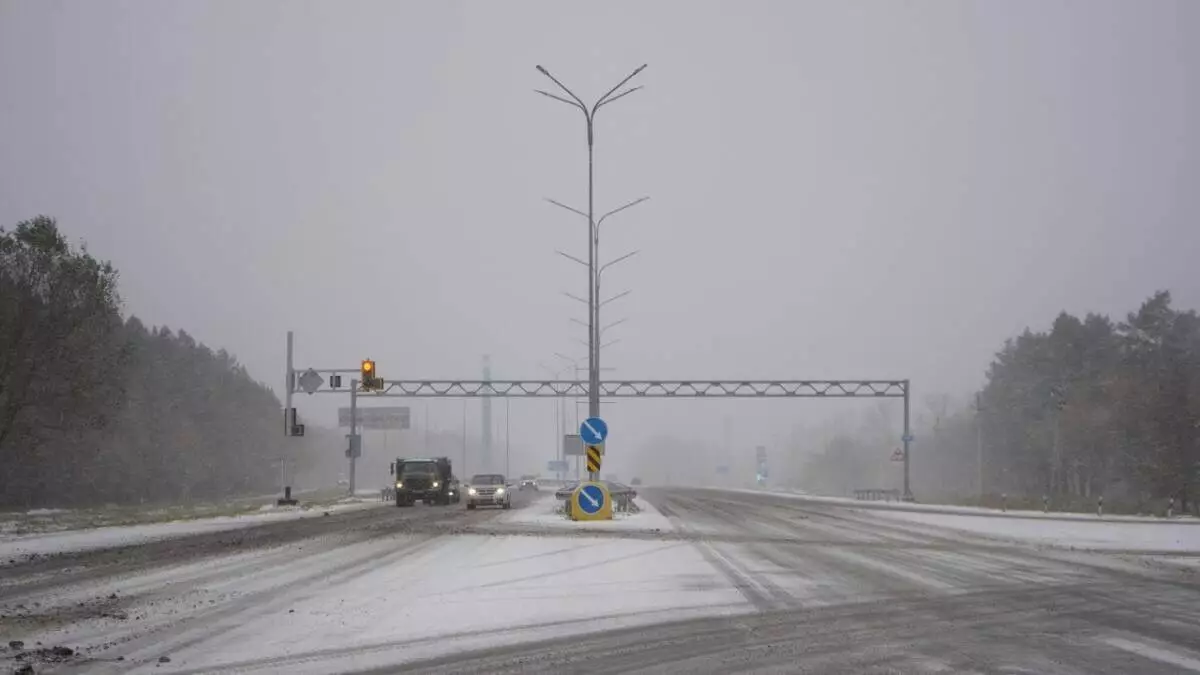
pixel 703 582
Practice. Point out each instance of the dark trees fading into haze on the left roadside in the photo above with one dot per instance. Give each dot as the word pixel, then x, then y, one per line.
pixel 98 409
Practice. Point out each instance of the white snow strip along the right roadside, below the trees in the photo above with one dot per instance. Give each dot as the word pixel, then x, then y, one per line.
pixel 1109 535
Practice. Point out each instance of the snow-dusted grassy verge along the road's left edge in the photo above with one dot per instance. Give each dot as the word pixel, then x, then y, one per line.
pixel 14 547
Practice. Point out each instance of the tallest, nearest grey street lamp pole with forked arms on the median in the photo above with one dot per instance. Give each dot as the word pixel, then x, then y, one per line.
pixel 593 231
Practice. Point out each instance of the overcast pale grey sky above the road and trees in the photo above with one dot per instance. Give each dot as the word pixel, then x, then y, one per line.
pixel 838 189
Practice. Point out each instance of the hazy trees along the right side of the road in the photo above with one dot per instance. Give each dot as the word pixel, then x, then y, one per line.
pixel 1091 408
